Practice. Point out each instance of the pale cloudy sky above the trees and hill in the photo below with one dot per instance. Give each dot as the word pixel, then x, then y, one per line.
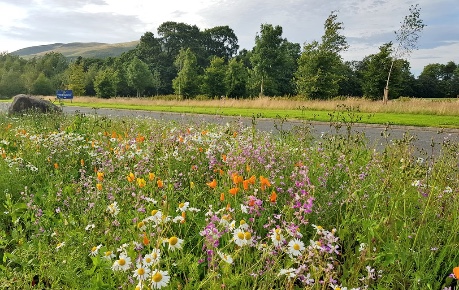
pixel 367 23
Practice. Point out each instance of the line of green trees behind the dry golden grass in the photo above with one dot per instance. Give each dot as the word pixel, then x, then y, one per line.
pixel 187 61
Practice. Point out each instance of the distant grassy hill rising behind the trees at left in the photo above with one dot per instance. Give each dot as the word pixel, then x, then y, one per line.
pixel 75 49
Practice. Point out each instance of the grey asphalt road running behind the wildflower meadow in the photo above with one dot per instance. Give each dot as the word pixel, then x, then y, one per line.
pixel 423 138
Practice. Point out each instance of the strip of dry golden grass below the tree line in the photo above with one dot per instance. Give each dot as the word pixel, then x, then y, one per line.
pixel 405 105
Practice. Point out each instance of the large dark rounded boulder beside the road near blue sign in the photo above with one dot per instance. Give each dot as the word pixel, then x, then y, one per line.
pixel 25 103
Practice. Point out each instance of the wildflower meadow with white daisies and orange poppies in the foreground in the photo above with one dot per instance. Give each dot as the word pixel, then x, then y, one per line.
pixel 94 202
